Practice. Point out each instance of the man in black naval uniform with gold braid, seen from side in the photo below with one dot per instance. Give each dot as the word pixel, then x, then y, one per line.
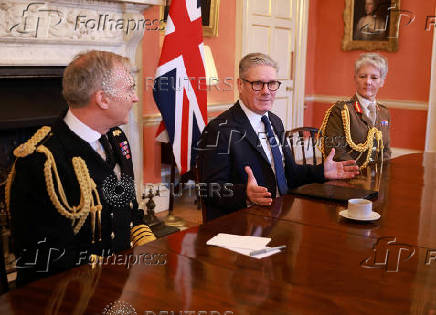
pixel 71 191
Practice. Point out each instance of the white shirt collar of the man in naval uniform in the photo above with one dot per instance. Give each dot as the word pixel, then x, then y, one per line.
pixel 89 135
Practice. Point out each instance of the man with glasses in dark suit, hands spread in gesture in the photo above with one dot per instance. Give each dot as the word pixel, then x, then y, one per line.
pixel 243 155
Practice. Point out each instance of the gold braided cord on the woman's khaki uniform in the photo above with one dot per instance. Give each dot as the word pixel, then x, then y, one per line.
pixel 361 147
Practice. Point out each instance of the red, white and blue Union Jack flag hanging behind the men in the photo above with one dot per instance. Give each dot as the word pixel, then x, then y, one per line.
pixel 180 90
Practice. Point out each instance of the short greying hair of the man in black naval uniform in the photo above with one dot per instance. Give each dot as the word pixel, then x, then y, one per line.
pixel 89 72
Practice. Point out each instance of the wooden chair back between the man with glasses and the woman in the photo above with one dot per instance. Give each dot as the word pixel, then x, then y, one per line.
pixel 301 140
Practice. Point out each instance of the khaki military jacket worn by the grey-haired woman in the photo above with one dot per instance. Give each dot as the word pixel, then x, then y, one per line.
pixel 360 124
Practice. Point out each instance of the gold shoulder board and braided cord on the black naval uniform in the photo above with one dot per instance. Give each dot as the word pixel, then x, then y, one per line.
pixel 87 205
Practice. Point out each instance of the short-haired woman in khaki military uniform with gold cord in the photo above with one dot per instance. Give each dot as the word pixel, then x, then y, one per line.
pixel 358 128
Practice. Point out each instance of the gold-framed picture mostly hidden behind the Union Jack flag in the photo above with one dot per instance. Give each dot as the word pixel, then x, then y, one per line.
pixel 209 15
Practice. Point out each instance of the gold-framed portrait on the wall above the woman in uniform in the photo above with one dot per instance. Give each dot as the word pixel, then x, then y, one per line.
pixel 371 25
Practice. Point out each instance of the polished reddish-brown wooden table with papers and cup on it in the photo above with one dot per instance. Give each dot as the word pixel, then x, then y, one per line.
pixel 331 265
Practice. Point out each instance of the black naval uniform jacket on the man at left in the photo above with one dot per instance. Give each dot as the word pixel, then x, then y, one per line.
pixel 40 231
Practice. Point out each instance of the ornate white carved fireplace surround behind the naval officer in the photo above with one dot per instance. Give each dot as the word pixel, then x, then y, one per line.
pixel 50 33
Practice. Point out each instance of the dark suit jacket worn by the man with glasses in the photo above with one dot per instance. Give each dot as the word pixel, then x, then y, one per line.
pixel 227 145
